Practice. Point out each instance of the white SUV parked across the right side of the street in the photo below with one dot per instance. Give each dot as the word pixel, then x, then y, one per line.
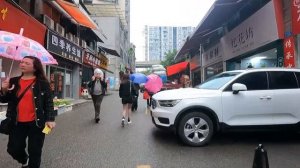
pixel 242 98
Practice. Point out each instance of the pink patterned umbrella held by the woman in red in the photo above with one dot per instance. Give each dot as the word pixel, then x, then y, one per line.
pixel 15 47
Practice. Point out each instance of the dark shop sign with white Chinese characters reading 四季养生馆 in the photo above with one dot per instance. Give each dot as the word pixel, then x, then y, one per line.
pixel 63 47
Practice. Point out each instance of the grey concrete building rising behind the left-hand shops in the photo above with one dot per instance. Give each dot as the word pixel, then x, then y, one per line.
pixel 113 17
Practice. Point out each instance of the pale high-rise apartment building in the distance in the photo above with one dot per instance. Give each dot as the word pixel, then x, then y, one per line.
pixel 161 39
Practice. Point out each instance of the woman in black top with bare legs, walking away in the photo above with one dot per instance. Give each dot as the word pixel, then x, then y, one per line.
pixel 126 92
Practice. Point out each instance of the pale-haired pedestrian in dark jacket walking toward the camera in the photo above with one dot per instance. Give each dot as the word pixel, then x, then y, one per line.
pixel 97 90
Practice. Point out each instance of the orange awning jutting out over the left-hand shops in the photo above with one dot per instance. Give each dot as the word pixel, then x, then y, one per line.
pixel 77 15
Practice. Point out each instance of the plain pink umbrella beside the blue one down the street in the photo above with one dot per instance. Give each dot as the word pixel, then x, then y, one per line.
pixel 154 83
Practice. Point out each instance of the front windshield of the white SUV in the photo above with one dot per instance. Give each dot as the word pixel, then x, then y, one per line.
pixel 217 81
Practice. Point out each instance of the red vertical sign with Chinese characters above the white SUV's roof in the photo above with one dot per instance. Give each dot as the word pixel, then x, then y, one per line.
pixel 289 52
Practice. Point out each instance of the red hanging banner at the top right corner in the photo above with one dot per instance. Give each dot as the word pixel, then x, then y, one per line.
pixel 296 16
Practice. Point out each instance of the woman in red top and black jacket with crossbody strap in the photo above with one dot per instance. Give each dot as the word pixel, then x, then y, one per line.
pixel 30 108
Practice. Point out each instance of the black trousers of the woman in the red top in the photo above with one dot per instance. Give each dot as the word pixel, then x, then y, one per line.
pixel 17 143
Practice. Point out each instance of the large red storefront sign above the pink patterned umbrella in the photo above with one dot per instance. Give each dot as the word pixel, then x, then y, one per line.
pixel 13 19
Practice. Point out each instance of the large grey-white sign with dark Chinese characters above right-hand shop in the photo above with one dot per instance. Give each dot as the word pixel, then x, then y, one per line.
pixel 257 31
